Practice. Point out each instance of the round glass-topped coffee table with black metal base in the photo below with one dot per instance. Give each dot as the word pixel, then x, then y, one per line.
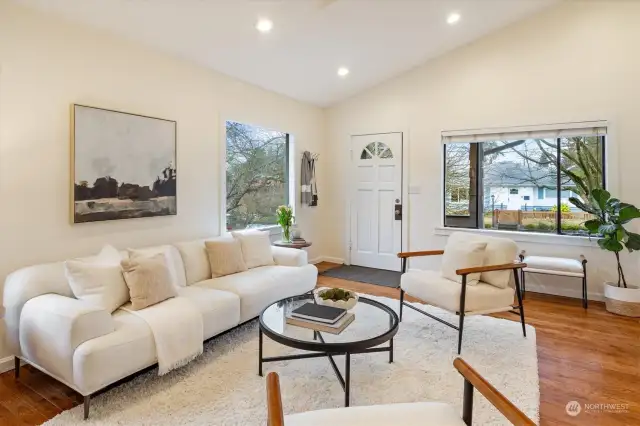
pixel 374 325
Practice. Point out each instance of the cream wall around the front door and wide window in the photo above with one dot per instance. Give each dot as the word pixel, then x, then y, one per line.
pixel 578 61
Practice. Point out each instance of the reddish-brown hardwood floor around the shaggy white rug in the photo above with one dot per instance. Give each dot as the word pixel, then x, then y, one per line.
pixel 591 356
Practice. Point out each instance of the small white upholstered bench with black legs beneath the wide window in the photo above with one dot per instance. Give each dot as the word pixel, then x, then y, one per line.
pixel 555 266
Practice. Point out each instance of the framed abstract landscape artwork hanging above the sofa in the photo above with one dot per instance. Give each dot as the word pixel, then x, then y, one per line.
pixel 123 166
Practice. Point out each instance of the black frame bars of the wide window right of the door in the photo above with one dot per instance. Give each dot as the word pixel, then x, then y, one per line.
pixel 477 218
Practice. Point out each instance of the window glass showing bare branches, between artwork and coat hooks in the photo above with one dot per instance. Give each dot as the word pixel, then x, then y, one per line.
pixel 257 169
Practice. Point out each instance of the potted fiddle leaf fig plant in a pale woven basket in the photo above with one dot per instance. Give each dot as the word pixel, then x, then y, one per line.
pixel 610 218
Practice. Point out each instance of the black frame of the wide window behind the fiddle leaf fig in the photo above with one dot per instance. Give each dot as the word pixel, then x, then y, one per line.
pixel 479 177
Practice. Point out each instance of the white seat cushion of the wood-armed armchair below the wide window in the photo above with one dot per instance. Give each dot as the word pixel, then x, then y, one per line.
pixel 433 289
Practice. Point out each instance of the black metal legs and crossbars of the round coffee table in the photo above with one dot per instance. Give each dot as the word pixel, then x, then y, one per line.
pixel 345 380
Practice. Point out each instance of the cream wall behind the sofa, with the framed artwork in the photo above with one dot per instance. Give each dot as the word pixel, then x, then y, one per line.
pixel 47 64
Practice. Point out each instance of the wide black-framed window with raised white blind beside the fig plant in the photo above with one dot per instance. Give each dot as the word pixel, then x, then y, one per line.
pixel 523 181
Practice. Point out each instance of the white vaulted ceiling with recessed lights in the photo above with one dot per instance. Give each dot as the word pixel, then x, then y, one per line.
pixel 310 39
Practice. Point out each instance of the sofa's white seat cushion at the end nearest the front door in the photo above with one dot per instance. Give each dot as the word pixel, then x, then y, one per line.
pixel 260 287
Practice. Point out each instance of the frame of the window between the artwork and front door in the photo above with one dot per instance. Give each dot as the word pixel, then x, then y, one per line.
pixel 289 183
